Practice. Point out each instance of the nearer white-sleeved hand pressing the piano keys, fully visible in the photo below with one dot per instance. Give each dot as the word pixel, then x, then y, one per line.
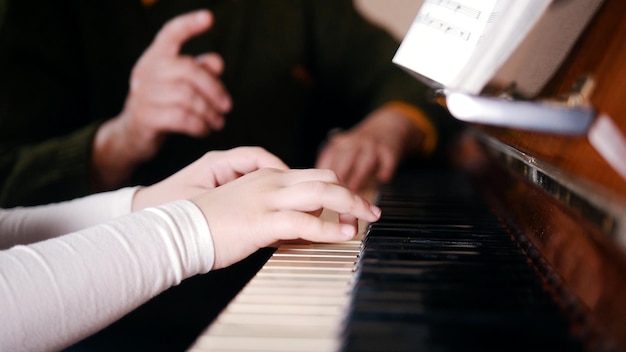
pixel 269 205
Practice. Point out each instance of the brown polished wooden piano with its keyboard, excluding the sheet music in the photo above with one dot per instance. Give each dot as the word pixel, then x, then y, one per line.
pixel 517 243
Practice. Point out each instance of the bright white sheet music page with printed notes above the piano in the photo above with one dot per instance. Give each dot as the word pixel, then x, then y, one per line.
pixel 460 43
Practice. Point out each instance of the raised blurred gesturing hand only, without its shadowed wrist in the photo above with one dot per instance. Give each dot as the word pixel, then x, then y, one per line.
pixel 176 93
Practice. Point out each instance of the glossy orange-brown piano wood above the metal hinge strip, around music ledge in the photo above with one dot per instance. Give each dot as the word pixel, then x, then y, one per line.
pixel 600 52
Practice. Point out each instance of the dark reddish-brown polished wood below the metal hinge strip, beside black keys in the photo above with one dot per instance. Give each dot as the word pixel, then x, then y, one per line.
pixel 583 267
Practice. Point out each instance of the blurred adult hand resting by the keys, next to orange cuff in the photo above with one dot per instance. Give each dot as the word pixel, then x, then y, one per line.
pixel 371 151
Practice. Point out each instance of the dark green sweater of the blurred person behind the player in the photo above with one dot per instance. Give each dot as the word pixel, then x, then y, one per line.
pixel 65 66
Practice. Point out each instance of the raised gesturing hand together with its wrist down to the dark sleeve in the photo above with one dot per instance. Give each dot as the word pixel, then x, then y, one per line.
pixel 169 93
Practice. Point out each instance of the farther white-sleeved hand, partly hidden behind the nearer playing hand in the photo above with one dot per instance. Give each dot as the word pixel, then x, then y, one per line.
pixel 213 169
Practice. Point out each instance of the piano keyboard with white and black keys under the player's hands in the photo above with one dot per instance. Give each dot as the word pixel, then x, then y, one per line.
pixel 438 272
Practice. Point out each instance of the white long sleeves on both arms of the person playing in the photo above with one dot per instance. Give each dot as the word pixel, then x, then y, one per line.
pixel 70 269
